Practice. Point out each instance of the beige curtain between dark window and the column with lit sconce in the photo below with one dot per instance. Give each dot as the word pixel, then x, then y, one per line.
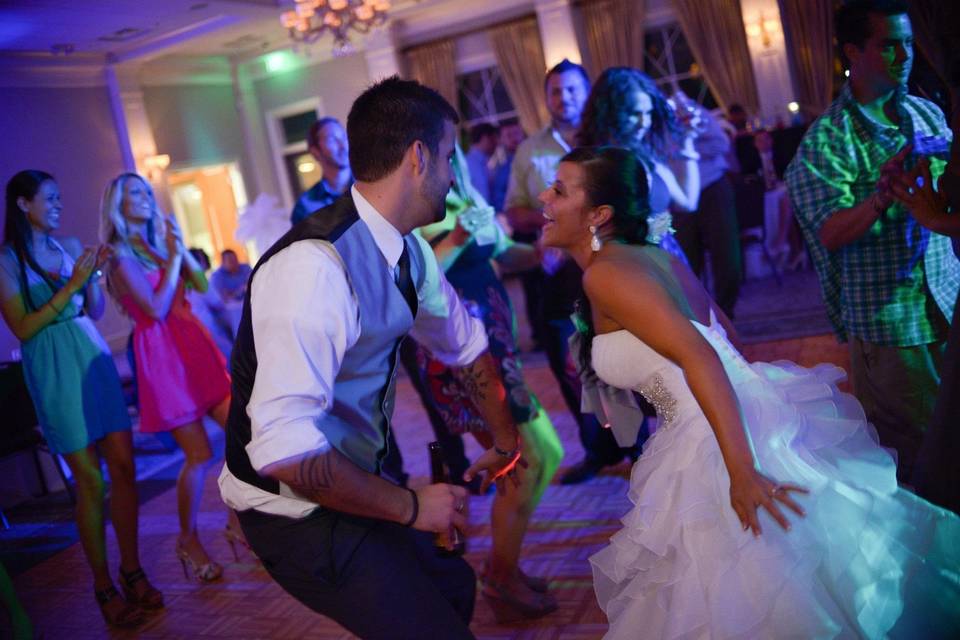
pixel 714 31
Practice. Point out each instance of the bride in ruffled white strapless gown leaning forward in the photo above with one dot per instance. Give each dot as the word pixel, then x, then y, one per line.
pixel 763 507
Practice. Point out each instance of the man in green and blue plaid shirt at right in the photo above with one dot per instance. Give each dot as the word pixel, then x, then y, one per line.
pixel 889 283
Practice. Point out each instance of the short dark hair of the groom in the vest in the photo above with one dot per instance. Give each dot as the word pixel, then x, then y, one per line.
pixel 387 118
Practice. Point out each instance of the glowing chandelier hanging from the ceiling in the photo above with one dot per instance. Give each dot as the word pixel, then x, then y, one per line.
pixel 310 19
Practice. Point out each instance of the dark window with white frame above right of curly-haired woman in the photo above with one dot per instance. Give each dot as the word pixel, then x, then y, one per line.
pixel 670 62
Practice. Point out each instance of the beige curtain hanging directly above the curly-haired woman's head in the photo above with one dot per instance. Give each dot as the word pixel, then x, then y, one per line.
pixel 614 31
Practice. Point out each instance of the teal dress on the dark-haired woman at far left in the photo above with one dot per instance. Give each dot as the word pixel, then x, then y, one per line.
pixel 70 373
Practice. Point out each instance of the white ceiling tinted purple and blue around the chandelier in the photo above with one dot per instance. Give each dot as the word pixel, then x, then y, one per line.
pixel 145 29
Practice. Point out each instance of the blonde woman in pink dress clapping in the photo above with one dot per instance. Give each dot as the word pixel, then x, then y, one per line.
pixel 181 375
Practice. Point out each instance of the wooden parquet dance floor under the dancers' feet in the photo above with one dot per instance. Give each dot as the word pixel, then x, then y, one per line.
pixel 571 524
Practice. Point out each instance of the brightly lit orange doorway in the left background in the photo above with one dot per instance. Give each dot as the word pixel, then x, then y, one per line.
pixel 207 202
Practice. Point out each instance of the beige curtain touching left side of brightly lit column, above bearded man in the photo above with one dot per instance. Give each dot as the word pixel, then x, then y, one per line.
pixel 522 67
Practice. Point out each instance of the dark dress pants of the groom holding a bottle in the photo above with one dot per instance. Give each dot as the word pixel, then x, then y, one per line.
pixel 378 579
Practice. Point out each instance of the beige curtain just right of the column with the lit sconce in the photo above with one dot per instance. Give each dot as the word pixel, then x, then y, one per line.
pixel 808 27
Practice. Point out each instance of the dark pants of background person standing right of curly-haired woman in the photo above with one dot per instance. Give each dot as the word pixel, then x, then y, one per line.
pixel 714 228
